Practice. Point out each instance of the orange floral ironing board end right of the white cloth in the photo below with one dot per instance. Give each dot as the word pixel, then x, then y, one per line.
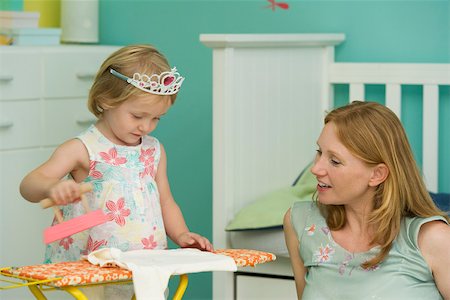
pixel 247 257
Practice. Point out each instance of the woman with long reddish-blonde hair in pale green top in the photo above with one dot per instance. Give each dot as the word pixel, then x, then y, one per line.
pixel 373 232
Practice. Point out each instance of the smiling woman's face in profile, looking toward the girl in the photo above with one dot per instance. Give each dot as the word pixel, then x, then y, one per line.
pixel 343 179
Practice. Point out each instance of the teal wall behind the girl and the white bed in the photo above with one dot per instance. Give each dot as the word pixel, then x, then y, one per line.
pixel 376 31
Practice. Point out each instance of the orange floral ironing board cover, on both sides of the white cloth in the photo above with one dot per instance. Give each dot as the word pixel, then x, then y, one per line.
pixel 82 272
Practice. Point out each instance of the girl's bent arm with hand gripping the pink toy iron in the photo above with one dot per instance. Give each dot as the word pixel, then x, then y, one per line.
pixel 45 180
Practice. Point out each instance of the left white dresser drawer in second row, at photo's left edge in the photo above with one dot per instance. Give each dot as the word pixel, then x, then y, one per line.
pixel 20 125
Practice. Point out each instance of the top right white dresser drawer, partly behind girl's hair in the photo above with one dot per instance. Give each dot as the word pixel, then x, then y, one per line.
pixel 70 71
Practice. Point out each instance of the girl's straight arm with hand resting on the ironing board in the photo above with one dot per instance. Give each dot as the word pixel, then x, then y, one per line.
pixel 174 222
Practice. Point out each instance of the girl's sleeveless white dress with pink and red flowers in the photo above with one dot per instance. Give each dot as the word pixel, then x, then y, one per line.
pixel 125 189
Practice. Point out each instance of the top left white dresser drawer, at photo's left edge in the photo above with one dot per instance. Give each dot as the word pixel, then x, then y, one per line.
pixel 20 76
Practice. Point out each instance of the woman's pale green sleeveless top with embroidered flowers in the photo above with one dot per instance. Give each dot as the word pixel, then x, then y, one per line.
pixel 335 273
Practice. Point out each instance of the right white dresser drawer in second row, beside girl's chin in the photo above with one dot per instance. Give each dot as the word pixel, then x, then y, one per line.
pixel 65 119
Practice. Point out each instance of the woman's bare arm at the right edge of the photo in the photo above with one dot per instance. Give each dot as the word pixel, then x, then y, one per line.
pixel 434 242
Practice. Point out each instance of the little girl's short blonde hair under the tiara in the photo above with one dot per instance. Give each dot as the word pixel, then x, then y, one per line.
pixel 109 91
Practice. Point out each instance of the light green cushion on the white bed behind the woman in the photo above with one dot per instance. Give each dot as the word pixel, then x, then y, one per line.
pixel 268 210
